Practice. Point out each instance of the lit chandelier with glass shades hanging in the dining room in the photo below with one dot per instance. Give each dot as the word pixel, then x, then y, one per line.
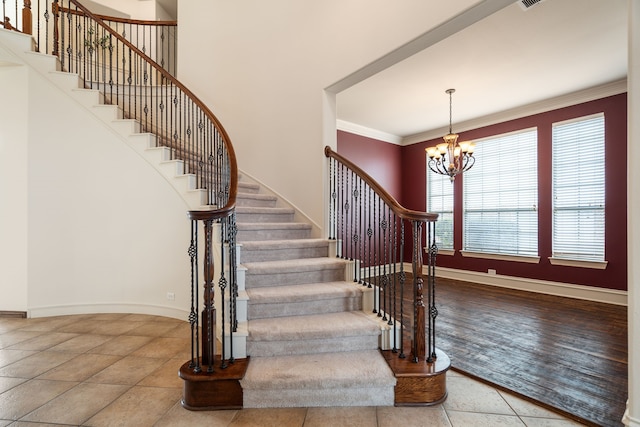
pixel 451 157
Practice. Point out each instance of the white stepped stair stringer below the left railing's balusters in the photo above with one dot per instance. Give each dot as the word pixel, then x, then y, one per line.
pixel 127 130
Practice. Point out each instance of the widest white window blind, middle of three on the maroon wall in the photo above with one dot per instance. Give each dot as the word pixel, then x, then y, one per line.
pixel 500 194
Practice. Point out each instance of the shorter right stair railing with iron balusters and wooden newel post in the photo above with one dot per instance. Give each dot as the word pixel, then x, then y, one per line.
pixel 375 232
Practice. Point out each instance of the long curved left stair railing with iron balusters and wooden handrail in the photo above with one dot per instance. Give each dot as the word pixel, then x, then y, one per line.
pixel 105 59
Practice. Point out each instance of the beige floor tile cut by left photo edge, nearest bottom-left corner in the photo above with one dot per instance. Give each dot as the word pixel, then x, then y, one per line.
pixel 26 397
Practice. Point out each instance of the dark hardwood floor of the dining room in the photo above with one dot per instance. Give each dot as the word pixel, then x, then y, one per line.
pixel 568 355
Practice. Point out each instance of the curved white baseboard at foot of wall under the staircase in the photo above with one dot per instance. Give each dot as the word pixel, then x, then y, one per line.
pixel 66 310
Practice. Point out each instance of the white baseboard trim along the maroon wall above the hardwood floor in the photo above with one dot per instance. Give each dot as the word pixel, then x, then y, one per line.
pixel 590 293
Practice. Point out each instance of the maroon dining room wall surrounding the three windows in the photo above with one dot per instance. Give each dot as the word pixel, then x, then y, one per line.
pixel 382 160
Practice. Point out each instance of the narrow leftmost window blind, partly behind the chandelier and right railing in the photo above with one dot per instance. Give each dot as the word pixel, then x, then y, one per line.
pixel 440 201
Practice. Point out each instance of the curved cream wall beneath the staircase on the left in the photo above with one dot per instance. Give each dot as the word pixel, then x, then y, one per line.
pixel 87 225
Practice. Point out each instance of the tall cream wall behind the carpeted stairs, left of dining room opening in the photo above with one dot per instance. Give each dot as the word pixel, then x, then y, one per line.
pixel 261 66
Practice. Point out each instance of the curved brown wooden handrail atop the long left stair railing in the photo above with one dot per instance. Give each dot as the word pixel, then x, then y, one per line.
pixel 229 207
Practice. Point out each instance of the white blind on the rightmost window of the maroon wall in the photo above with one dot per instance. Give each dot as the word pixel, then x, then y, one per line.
pixel 578 189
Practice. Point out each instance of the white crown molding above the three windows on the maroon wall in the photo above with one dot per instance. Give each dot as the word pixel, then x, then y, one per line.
pixel 586 95
